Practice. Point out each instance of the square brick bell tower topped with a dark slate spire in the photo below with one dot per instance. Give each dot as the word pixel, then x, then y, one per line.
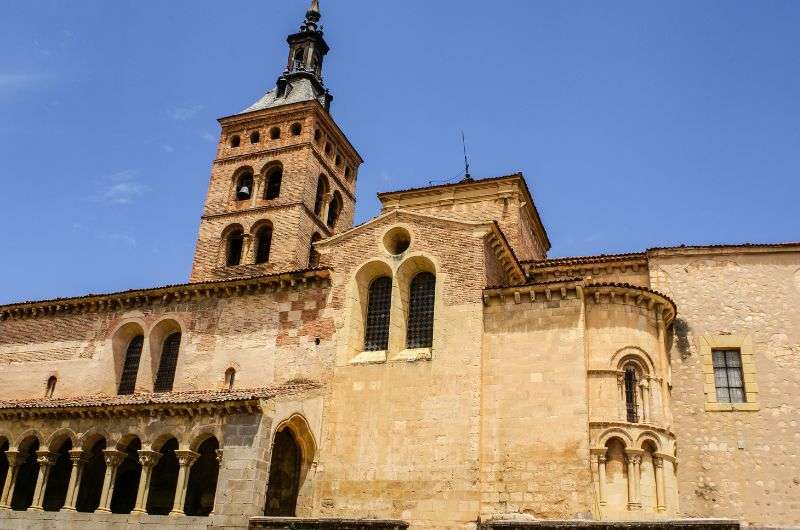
pixel 284 175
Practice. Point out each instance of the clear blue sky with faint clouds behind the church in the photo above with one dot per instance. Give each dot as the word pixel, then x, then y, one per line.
pixel 637 124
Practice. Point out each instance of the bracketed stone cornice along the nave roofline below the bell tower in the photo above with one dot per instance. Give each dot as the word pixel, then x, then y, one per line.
pixel 95 303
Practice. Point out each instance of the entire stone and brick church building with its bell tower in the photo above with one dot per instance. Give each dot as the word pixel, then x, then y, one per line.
pixel 429 368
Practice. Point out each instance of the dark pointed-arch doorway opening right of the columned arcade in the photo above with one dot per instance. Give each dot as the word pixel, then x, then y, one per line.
pixel 284 475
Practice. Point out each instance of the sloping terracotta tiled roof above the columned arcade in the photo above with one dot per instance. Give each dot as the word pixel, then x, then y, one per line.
pixel 187 397
